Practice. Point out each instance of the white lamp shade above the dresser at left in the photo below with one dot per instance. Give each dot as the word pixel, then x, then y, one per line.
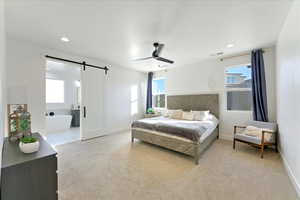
pixel 17 95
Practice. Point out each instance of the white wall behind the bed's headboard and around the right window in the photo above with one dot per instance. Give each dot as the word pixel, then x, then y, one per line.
pixel 208 77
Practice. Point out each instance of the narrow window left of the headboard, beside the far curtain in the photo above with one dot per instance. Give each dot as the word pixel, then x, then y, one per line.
pixel 158 93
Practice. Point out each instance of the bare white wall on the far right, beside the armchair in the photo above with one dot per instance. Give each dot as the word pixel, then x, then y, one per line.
pixel 288 90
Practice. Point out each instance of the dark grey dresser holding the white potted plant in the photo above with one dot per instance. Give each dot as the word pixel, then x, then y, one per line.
pixel 29 176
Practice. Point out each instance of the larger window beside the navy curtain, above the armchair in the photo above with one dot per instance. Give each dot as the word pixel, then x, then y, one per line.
pixel 238 88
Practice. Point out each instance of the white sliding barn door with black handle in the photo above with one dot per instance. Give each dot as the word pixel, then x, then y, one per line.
pixel 92 103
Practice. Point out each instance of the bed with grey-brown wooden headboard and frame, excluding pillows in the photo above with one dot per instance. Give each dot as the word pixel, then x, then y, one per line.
pixel 177 141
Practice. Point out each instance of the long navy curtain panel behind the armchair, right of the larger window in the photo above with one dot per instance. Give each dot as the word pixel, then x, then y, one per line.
pixel 259 91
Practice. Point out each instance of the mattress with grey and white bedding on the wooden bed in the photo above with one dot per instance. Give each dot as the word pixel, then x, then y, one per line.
pixel 196 131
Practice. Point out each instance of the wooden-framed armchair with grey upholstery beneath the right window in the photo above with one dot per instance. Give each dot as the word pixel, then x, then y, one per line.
pixel 257 133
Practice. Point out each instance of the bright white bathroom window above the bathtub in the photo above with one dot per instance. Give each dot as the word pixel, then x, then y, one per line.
pixel 55 91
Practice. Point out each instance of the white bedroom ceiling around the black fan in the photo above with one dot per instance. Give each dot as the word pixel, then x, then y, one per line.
pixel 118 31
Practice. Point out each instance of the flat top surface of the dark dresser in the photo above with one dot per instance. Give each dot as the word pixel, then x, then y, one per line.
pixel 12 155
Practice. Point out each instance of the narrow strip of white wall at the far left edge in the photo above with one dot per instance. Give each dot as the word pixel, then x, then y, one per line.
pixel 2 77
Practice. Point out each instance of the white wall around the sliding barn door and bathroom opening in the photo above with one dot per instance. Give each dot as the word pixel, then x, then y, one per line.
pixel 26 66
